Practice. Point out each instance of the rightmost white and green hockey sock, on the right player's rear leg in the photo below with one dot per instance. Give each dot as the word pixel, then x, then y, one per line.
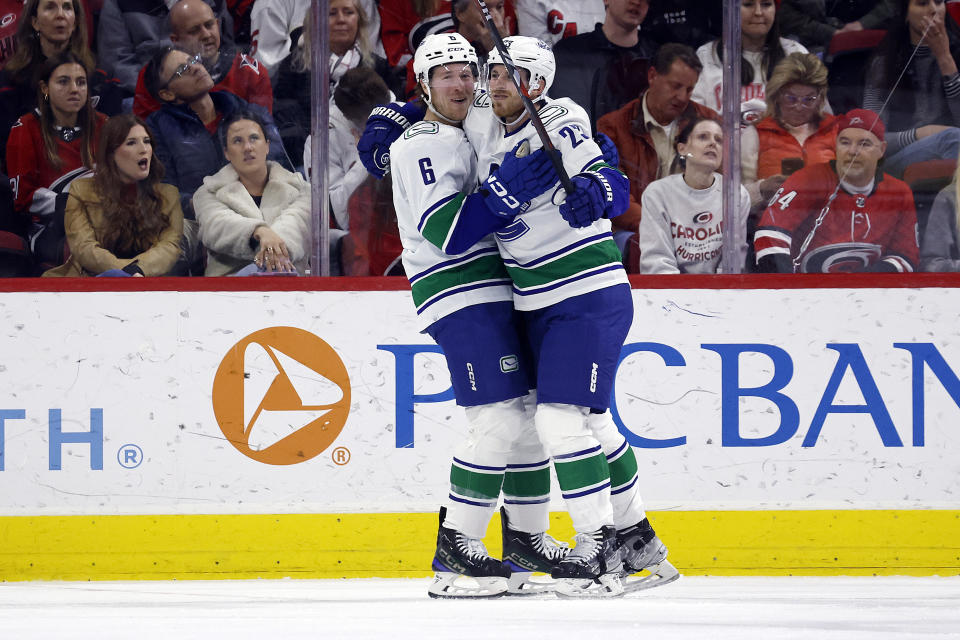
pixel 624 486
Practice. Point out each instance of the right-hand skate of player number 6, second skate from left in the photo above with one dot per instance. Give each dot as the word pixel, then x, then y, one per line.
pixel 527 553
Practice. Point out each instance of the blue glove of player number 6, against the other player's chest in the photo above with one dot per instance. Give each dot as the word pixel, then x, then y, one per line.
pixel 521 178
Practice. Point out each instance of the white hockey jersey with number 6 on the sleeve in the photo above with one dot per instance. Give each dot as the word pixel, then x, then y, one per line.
pixel 434 169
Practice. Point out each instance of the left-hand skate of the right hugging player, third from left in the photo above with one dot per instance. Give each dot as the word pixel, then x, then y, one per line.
pixel 593 568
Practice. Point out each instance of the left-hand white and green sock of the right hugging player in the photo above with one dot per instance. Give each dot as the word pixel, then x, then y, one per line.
pixel 579 463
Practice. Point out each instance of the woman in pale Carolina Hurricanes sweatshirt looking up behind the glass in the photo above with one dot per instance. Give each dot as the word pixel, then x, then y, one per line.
pixel 682 227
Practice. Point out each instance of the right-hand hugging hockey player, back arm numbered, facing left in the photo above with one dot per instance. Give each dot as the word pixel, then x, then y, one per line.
pixel 569 282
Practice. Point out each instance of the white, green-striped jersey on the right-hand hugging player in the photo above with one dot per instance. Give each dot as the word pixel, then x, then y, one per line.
pixel 548 261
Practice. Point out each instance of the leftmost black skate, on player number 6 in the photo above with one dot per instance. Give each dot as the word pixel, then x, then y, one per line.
pixel 463 567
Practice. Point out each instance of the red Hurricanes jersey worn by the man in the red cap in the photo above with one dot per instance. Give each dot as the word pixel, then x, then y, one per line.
pixel 857 231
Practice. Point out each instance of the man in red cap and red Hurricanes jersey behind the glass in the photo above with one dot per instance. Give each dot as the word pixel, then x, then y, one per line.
pixel 842 217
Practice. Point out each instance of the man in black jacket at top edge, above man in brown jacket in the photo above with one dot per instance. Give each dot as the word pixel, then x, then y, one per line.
pixel 605 68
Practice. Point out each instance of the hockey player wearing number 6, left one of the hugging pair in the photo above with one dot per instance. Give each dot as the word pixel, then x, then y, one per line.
pixel 463 299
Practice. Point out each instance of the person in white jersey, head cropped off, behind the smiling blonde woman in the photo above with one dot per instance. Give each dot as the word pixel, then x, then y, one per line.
pixel 274 24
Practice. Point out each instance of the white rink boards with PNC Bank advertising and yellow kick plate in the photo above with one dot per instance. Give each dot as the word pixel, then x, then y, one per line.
pixel 291 431
